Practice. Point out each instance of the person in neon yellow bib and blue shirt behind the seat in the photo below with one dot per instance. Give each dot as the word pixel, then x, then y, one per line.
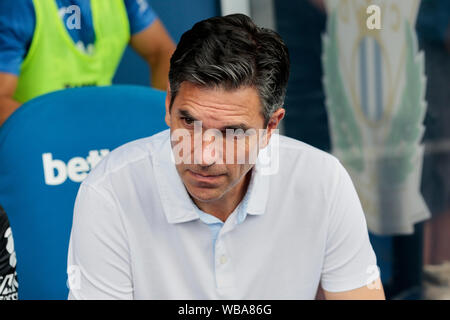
pixel 56 44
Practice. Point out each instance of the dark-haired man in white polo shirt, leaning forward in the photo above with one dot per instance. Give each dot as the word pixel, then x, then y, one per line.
pixel 220 206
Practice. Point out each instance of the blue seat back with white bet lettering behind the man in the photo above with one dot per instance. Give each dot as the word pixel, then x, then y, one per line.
pixel 47 147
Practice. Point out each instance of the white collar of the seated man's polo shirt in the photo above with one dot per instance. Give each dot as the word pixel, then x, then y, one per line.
pixel 175 199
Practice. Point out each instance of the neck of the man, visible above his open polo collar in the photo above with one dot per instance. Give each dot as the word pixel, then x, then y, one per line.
pixel 223 207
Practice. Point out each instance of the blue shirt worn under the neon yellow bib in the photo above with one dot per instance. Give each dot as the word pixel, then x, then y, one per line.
pixel 17 23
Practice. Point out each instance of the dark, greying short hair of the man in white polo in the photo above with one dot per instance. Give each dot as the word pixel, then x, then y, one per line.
pixel 232 52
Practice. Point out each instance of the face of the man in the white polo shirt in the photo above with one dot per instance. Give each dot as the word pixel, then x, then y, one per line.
pixel 209 172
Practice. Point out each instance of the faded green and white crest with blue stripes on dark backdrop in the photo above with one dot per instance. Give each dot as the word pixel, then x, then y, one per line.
pixel 375 88
